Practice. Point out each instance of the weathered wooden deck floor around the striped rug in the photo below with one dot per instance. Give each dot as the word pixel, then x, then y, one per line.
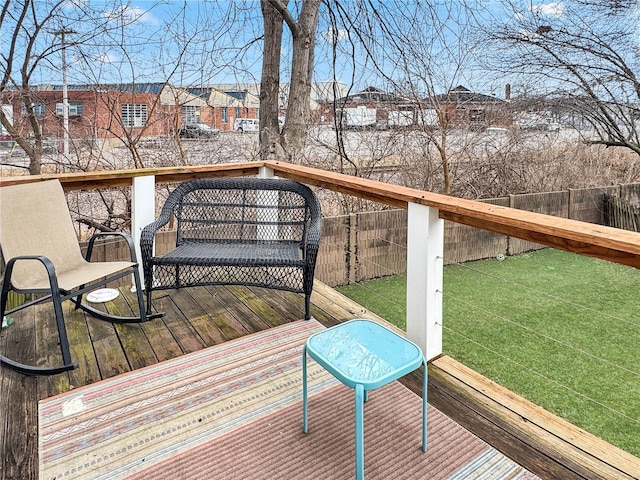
pixel 200 317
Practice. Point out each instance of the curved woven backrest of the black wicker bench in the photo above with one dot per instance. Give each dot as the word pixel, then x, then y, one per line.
pixel 243 210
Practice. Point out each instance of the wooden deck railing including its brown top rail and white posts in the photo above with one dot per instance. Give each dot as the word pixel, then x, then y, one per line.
pixel 426 214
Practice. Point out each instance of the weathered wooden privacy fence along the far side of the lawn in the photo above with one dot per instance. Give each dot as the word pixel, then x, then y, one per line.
pixel 367 245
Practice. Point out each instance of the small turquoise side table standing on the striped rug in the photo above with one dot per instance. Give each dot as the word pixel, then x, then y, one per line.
pixel 364 355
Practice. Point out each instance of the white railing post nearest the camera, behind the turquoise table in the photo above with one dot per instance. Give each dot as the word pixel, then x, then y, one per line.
pixel 425 253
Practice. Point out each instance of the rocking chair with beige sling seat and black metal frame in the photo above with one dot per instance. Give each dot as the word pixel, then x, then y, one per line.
pixel 42 256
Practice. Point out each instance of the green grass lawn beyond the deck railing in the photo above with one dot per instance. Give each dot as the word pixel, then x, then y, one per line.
pixel 562 330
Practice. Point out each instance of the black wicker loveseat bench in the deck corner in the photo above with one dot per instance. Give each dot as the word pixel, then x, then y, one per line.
pixel 236 231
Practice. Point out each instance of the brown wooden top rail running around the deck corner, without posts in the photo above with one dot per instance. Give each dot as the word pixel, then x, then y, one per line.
pixel 608 243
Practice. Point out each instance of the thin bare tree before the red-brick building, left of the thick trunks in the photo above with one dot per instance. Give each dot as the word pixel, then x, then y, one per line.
pixel 130 73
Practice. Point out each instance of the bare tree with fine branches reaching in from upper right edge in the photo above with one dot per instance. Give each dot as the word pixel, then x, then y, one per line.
pixel 584 54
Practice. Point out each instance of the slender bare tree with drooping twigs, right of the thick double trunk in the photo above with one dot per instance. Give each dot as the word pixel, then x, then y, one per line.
pixel 417 52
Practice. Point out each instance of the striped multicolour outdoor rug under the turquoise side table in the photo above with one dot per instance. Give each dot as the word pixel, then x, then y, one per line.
pixel 234 411
